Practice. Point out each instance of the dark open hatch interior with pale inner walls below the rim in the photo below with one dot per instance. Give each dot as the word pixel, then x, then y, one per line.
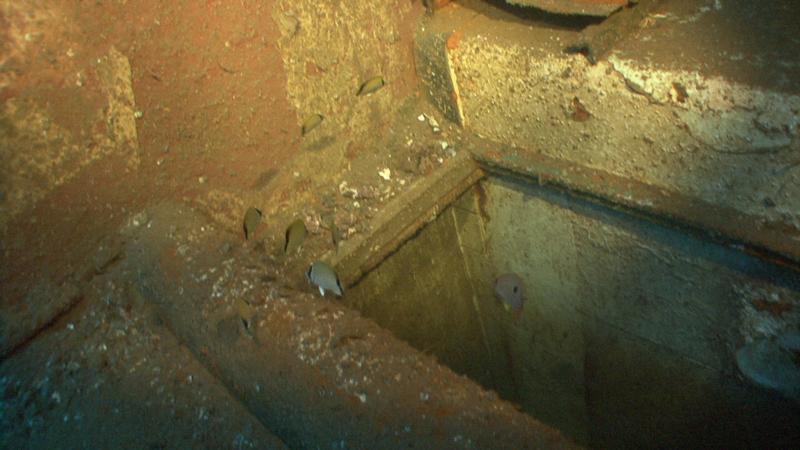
pixel 628 332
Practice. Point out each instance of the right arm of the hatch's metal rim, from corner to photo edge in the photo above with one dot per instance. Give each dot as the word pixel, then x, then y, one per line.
pixel 775 242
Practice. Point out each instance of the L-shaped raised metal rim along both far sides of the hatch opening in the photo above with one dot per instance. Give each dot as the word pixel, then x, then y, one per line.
pixel 777 243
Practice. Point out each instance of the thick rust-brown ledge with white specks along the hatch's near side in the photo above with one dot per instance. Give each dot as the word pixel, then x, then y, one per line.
pixel 310 369
